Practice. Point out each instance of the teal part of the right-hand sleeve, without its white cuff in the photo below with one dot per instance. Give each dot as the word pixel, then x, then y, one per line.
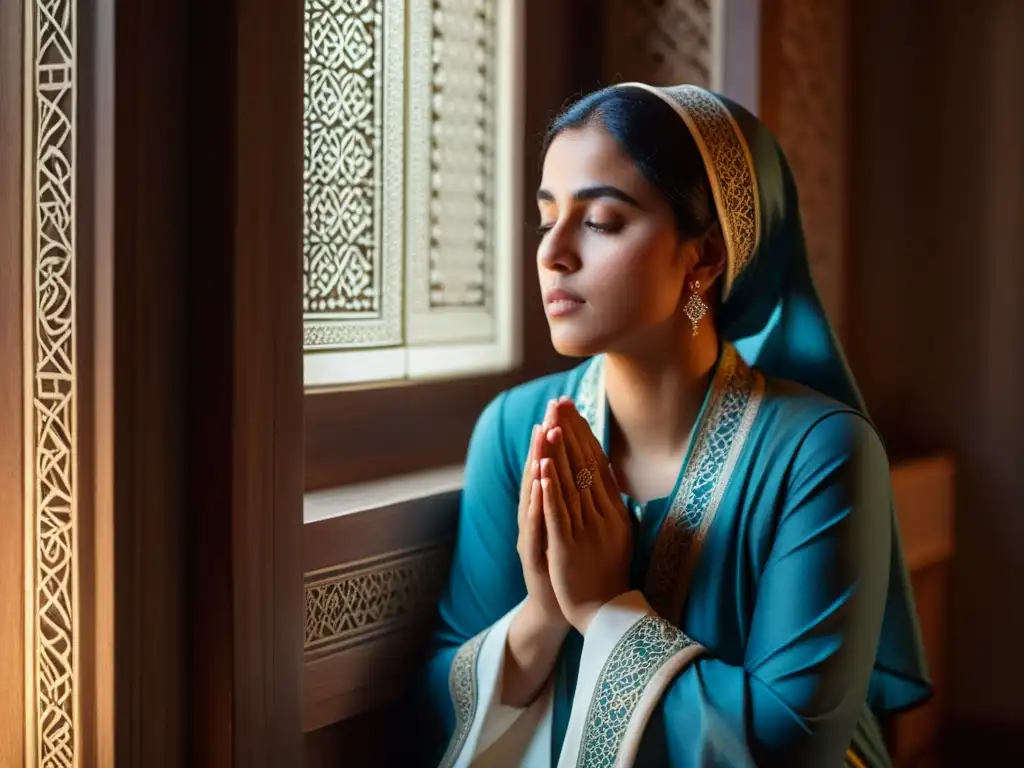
pixel 821 600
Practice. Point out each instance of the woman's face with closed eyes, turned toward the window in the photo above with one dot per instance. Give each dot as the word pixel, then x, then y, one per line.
pixel 611 262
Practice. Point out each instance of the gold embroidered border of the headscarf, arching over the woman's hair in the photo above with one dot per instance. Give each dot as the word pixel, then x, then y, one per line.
pixel 731 169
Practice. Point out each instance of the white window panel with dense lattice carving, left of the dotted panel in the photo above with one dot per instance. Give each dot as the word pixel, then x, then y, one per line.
pixel 354 175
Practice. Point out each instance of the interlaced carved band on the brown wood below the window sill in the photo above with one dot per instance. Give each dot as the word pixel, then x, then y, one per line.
pixel 354 603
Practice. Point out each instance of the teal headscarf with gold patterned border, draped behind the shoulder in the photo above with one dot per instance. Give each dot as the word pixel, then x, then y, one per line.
pixel 772 313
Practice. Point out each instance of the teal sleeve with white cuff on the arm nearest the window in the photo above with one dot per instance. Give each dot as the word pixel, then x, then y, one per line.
pixel 463 676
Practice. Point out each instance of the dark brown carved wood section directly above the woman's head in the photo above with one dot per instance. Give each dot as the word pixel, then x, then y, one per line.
pixel 661 42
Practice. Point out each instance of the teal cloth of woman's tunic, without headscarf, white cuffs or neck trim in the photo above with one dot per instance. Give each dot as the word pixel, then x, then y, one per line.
pixel 788 592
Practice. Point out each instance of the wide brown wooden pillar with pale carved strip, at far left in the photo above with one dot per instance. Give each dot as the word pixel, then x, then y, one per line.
pixel 141 491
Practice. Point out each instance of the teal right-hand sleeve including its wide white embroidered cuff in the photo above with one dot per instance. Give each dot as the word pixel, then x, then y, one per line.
pixel 650 694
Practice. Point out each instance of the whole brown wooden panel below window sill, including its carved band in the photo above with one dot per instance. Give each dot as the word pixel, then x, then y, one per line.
pixel 372 584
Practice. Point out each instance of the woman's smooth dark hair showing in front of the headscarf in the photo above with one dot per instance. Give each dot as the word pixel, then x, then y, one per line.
pixel 658 142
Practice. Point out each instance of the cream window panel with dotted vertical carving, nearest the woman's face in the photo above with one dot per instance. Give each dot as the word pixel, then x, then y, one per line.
pixel 456 96
